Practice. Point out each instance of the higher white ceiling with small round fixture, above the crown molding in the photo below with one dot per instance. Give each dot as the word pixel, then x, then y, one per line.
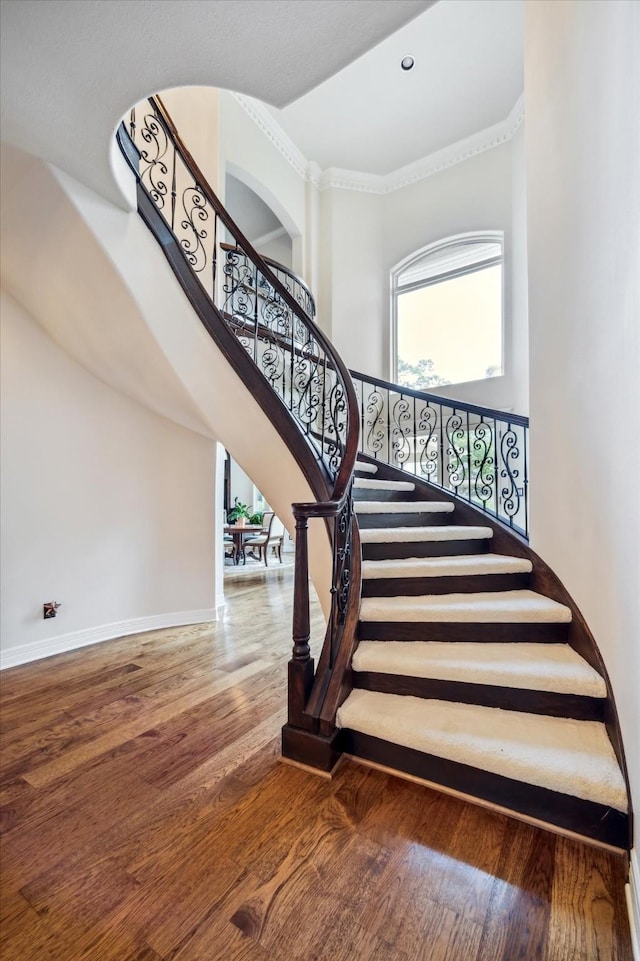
pixel 374 117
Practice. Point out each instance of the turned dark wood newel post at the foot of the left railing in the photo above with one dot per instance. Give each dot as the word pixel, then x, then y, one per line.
pixel 301 663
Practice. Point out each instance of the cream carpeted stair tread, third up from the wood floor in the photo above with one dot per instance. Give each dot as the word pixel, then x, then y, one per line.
pixel 505 607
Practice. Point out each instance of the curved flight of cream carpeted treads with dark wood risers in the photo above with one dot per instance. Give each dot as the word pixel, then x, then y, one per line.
pixel 463 676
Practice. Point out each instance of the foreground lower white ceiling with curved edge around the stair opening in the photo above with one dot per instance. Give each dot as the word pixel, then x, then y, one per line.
pixel 72 68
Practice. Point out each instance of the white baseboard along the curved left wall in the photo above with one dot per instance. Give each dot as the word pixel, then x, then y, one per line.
pixel 36 650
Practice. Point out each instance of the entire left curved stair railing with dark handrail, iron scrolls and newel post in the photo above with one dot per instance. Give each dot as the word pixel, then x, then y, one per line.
pixel 243 301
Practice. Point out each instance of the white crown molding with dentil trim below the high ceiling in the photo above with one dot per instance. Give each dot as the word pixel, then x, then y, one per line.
pixel 336 178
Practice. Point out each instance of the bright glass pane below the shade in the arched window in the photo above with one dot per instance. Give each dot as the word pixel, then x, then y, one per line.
pixel 451 332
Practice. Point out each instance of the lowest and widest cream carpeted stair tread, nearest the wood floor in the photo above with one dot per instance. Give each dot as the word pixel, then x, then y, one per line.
pixel 557 753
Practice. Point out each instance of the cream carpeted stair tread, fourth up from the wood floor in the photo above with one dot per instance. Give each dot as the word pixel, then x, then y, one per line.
pixel 462 565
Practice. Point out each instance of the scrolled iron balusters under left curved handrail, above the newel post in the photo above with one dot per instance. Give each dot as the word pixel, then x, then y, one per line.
pixel 264 315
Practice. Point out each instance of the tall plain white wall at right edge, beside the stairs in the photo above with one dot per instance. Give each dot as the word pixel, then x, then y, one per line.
pixel 582 85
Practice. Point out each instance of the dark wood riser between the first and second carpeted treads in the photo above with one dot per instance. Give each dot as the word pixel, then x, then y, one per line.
pixel 576 706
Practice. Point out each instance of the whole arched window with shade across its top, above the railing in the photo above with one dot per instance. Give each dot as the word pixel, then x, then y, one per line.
pixel 447 312
